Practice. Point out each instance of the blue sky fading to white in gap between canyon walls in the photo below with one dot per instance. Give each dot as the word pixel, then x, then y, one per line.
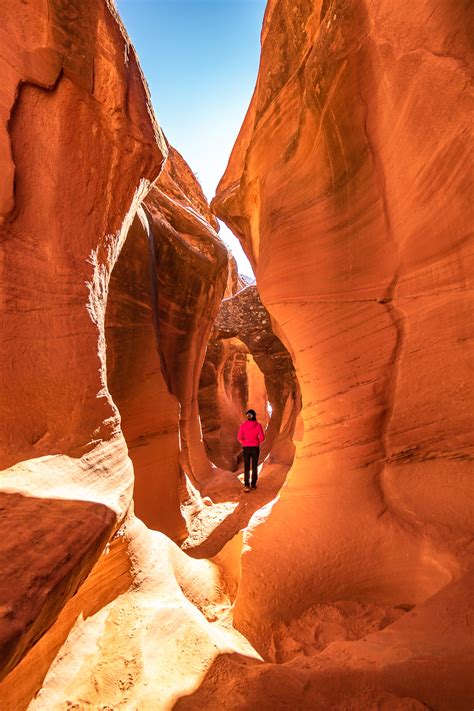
pixel 200 58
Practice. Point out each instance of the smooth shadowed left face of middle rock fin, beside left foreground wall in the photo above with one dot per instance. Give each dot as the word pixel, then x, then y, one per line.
pixel 149 413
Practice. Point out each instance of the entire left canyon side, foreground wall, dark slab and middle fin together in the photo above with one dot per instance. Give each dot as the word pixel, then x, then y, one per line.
pixel 80 150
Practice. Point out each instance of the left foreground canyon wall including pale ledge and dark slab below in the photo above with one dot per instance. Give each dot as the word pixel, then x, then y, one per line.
pixel 79 147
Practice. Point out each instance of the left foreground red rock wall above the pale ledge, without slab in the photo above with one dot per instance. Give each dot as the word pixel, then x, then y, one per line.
pixel 74 104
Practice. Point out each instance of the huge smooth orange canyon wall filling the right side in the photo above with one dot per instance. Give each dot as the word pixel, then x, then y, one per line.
pixel 350 188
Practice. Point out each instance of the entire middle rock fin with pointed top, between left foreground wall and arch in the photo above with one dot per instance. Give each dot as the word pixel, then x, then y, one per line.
pixel 165 290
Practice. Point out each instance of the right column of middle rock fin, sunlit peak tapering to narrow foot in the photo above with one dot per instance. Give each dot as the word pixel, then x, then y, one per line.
pixel 191 267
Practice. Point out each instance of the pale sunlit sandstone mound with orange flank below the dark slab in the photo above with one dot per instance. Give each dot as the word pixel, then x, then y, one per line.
pixel 141 632
